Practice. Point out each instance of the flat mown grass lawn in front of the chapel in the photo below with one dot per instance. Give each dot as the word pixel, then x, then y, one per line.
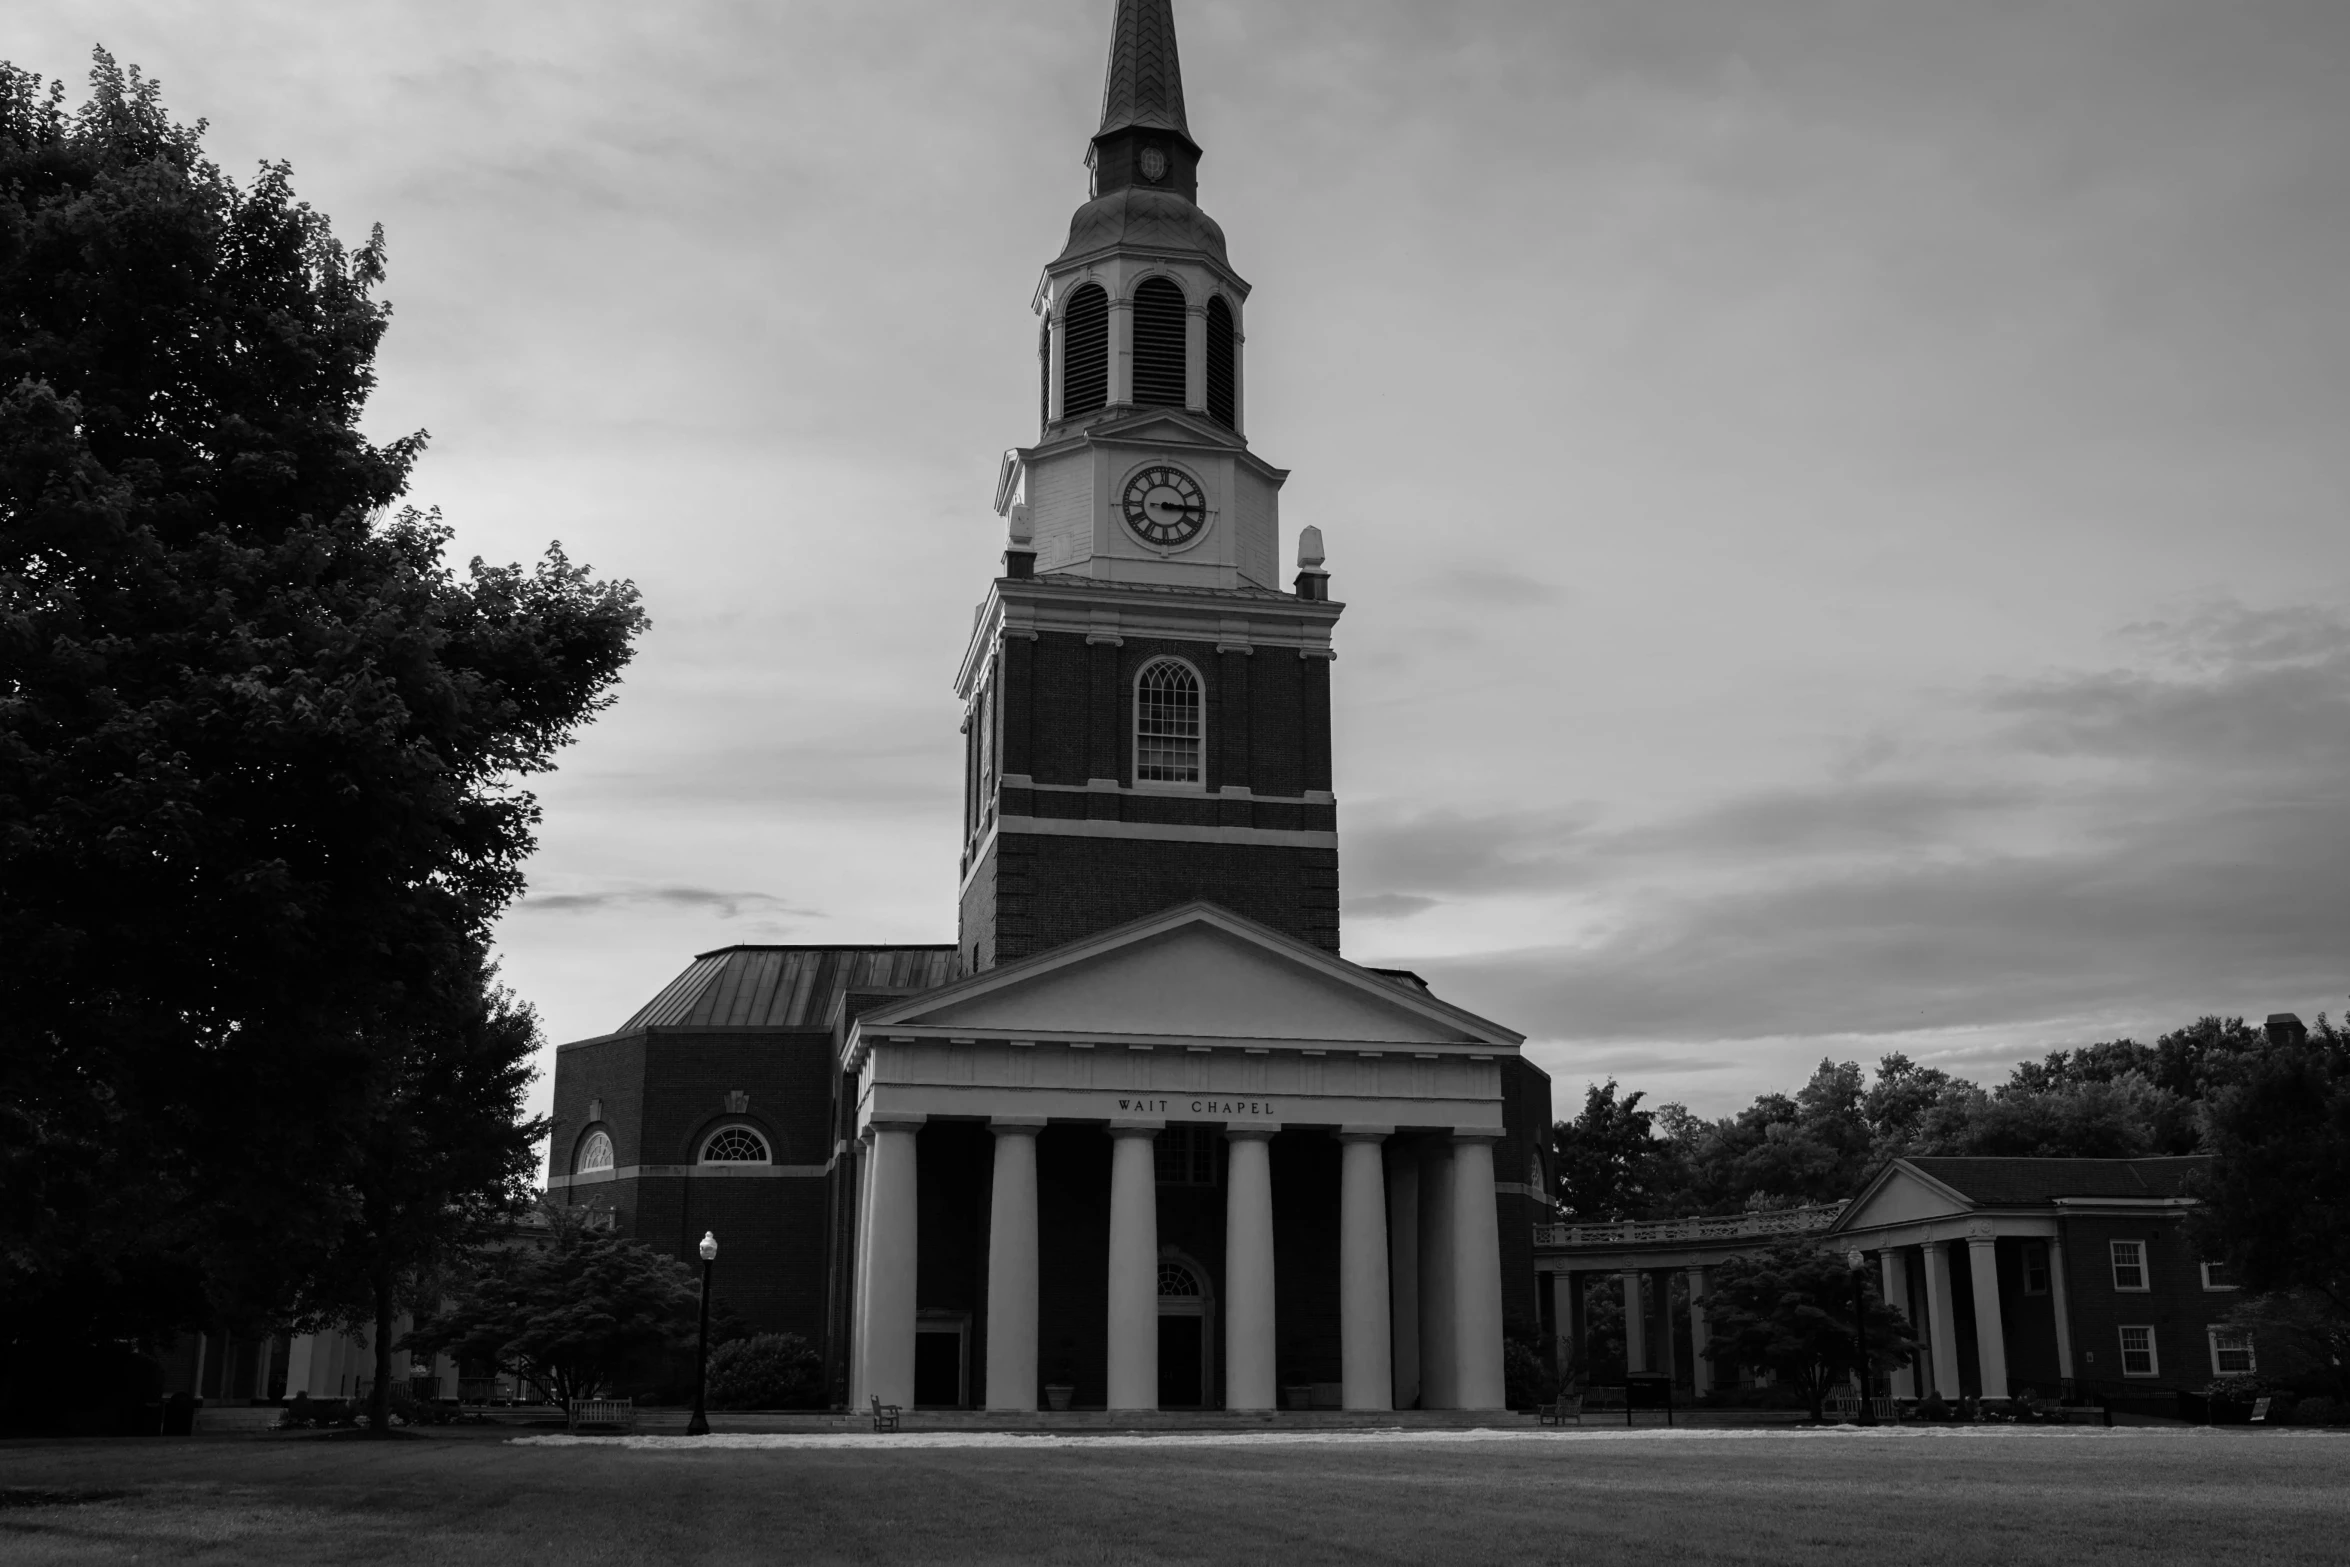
pixel 1672 1500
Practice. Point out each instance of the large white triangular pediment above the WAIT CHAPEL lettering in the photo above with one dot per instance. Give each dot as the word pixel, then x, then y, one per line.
pixel 1193 974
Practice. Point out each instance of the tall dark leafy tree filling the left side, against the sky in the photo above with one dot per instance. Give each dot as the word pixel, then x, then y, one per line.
pixel 260 744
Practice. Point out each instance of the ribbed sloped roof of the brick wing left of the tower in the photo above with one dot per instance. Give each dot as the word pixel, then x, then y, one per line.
pixel 786 988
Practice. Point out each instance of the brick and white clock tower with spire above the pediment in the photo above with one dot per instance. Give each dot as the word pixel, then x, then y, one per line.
pixel 1148 711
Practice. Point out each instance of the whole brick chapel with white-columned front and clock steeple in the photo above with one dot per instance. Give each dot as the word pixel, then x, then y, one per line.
pixel 1141 1138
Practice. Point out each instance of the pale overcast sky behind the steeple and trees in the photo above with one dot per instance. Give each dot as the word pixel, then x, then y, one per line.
pixel 1844 506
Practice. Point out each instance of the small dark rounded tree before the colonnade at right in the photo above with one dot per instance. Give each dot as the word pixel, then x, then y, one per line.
pixel 1790 1310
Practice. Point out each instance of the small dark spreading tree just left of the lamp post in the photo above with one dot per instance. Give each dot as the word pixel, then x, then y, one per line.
pixel 568 1305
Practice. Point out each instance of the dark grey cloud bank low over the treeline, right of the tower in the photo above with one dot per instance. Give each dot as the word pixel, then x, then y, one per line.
pixel 2196 863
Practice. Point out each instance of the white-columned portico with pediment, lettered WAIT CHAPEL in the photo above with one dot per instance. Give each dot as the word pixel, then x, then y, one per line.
pixel 1345 1122
